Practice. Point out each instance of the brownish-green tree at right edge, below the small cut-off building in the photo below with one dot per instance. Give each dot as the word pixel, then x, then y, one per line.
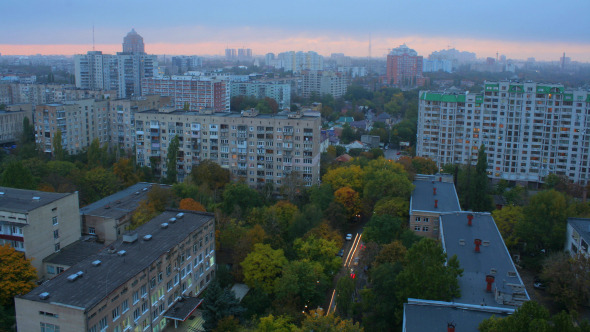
pixel 568 278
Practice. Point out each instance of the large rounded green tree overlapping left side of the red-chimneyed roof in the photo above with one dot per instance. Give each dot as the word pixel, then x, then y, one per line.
pixel 427 274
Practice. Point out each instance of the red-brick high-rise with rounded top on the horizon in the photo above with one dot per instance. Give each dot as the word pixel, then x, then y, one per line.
pixel 404 67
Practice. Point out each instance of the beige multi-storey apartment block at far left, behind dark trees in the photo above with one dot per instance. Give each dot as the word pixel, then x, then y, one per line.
pixel 79 122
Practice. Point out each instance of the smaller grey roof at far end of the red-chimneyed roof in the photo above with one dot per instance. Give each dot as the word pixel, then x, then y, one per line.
pixel 424 195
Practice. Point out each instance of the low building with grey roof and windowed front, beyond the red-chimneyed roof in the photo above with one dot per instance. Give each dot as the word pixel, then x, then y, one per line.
pixel 432 196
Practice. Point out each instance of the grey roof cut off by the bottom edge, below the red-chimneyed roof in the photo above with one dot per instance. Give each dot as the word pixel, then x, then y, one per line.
pixel 440 314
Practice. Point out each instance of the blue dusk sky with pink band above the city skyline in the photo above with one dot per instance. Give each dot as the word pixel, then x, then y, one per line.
pixel 519 29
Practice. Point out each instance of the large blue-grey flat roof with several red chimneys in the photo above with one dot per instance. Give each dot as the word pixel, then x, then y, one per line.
pixel 458 238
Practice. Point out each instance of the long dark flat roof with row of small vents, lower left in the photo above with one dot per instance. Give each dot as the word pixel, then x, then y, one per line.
pixel 99 281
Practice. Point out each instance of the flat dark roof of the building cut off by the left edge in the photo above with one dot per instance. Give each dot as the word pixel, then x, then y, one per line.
pixel 23 201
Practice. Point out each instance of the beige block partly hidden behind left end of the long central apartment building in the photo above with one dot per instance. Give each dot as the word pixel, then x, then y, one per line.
pixel 122 117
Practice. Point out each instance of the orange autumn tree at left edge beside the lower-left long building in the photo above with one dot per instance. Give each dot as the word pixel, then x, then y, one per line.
pixel 17 274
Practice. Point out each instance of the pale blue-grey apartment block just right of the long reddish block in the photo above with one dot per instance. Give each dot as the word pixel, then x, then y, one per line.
pixel 280 92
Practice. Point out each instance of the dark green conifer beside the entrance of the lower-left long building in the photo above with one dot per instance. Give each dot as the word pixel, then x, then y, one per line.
pixel 217 304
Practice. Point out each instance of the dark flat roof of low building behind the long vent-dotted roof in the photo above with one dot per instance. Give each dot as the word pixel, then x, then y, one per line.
pixel 119 204
